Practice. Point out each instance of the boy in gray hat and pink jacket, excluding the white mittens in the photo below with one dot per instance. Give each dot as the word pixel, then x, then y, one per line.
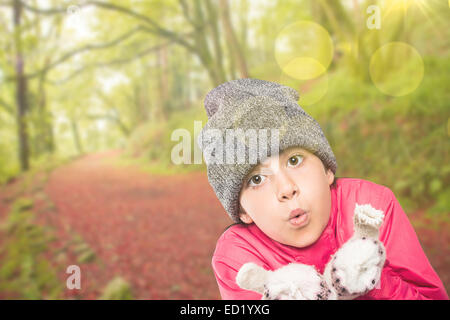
pixel 290 208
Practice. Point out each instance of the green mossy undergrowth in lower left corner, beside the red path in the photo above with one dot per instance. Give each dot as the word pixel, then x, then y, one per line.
pixel 24 271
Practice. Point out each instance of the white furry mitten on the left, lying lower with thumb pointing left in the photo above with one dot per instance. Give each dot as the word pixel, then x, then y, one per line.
pixel 294 281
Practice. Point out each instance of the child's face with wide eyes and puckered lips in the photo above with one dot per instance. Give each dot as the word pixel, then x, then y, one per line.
pixel 293 179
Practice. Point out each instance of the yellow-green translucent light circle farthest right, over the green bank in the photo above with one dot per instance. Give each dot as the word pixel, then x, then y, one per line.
pixel 396 69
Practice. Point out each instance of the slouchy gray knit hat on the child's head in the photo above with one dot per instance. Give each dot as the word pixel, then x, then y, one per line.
pixel 265 107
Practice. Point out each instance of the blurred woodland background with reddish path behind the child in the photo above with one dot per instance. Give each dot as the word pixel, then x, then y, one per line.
pixel 91 93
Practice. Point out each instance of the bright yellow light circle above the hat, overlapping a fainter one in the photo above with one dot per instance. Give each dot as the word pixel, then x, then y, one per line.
pixel 303 50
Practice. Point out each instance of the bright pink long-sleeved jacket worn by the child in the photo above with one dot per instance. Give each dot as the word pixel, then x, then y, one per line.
pixel 407 273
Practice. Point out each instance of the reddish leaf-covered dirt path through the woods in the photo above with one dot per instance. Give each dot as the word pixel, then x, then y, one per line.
pixel 157 233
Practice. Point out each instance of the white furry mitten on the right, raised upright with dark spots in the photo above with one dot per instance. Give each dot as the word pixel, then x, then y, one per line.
pixel 355 268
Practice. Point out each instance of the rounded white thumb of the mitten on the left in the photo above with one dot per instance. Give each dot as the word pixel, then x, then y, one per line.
pixel 252 277
